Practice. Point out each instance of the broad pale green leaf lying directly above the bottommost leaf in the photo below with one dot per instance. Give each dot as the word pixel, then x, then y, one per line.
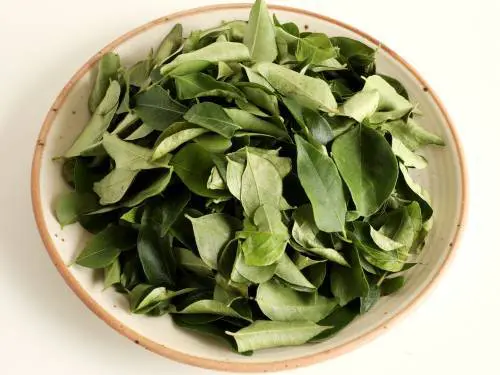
pixel 281 303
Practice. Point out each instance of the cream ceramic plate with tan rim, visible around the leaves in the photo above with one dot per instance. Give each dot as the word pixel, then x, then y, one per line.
pixel 444 179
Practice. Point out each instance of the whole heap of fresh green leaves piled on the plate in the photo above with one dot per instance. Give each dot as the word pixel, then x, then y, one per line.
pixel 251 180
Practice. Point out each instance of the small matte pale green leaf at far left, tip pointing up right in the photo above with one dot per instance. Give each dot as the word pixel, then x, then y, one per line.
pixel 114 185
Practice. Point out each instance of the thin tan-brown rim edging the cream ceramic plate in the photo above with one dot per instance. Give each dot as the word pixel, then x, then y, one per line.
pixel 172 353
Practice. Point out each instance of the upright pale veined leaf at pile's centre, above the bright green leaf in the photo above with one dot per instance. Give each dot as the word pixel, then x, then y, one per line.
pixel 260 184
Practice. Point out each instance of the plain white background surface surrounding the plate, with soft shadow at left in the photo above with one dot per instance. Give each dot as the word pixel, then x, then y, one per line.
pixel 45 329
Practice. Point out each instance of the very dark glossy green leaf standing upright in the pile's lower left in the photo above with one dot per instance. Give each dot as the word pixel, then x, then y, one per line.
pixel 157 257
